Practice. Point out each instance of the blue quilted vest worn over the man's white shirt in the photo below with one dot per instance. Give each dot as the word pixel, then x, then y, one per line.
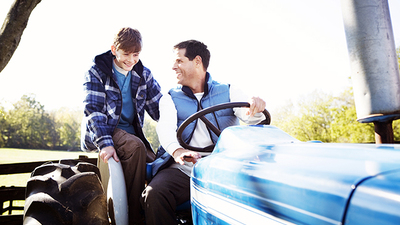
pixel 186 104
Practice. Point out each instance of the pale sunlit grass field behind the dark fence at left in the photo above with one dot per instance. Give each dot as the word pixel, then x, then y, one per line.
pixel 11 155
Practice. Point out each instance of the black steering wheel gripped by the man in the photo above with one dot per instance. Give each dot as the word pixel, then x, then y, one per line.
pixel 200 115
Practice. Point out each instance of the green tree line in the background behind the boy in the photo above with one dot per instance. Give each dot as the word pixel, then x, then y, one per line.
pixel 28 125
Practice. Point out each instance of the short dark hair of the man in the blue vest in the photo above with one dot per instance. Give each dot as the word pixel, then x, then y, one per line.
pixel 195 48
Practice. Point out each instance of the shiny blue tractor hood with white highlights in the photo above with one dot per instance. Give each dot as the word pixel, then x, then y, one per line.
pixel 260 174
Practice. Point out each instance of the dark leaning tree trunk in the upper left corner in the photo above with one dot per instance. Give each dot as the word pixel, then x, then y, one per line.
pixel 13 27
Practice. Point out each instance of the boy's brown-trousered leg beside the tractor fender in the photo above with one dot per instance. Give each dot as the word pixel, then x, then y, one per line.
pixel 132 154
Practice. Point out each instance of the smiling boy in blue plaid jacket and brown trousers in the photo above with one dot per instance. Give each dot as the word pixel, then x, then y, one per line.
pixel 118 90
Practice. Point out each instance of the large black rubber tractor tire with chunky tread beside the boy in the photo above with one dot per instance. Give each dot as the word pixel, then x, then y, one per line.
pixel 68 192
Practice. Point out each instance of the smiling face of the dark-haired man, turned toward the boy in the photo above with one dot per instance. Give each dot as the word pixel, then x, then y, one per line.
pixel 183 67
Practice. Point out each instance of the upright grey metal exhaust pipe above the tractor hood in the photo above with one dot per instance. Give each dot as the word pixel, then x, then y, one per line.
pixel 374 65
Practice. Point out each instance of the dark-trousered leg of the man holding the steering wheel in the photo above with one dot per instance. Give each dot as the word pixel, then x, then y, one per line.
pixel 169 188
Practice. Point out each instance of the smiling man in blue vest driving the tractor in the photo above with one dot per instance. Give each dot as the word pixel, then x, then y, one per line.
pixel 171 186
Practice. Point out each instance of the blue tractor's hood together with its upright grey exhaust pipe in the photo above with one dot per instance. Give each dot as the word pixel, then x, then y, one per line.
pixel 261 175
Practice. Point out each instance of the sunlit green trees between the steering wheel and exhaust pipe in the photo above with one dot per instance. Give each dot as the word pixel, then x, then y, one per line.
pixel 326 118
